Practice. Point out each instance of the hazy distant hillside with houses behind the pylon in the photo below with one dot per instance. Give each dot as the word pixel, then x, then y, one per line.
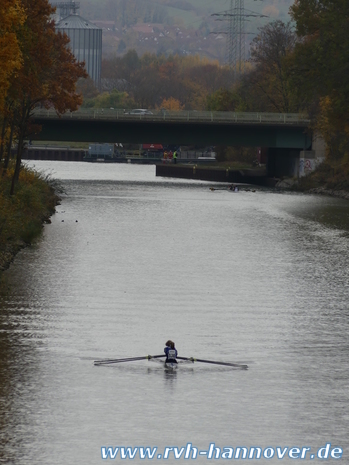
pixel 175 26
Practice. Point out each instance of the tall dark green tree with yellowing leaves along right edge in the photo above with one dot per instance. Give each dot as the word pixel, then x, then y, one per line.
pixel 320 66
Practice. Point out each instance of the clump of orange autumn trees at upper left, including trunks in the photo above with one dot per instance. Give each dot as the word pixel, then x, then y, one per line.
pixel 37 69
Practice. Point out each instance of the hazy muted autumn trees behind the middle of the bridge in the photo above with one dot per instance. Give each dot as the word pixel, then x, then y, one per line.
pixel 151 79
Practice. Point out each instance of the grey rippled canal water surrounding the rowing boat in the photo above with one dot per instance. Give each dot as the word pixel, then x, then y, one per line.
pixel 131 260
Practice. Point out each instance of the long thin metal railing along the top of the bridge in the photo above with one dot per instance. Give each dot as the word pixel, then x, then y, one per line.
pixel 178 116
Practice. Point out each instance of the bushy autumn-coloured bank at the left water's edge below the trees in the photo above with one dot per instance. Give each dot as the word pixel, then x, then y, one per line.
pixel 23 214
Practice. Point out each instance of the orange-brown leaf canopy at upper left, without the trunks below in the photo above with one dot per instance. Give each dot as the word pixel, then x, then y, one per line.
pixel 35 61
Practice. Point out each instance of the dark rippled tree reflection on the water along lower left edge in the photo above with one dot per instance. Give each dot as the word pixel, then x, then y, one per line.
pixel 19 368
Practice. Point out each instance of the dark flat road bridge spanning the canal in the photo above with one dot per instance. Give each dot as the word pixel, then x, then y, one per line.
pixel 273 130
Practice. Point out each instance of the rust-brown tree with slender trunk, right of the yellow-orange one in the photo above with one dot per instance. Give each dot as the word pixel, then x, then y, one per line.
pixel 48 74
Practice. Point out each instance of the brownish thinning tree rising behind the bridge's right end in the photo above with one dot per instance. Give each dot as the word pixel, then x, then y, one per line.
pixel 267 84
